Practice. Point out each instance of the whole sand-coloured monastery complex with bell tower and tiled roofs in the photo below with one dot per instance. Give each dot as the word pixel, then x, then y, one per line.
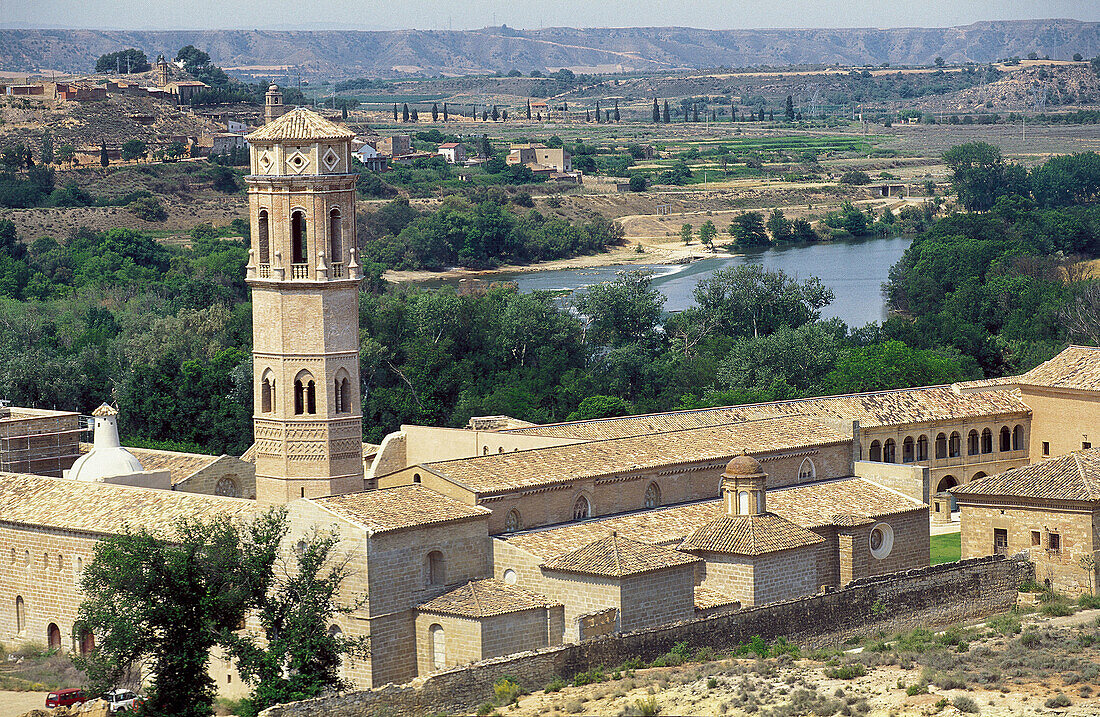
pixel 505 536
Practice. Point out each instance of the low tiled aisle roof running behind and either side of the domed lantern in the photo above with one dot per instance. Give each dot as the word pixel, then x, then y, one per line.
pixel 816 505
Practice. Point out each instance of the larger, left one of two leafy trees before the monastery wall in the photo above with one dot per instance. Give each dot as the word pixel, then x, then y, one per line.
pixel 161 602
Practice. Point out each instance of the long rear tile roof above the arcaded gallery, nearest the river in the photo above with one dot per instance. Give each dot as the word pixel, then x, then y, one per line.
pixel 881 409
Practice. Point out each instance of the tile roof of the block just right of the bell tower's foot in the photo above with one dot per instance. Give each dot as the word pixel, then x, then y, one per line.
pixel 391 510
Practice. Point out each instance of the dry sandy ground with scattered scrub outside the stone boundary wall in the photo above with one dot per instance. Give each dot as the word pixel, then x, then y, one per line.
pixel 989 671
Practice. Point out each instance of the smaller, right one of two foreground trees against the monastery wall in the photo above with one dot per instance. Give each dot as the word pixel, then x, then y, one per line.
pixel 298 657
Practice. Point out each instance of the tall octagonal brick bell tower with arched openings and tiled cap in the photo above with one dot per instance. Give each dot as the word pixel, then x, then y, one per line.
pixel 305 310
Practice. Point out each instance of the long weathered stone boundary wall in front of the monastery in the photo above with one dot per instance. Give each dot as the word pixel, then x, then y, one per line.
pixel 937 597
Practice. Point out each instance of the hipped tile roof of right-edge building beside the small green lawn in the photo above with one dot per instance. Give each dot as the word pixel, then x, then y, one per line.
pixel 1074 477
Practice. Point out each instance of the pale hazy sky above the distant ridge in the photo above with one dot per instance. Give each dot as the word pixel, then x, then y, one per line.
pixel 461 15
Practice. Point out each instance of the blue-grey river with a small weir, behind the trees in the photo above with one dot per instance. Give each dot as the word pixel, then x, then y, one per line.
pixel 854 270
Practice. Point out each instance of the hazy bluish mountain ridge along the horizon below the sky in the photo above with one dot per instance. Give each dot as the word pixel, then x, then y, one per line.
pixel 433 52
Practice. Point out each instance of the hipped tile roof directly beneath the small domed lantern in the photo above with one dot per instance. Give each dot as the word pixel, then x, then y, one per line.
pixel 751 536
